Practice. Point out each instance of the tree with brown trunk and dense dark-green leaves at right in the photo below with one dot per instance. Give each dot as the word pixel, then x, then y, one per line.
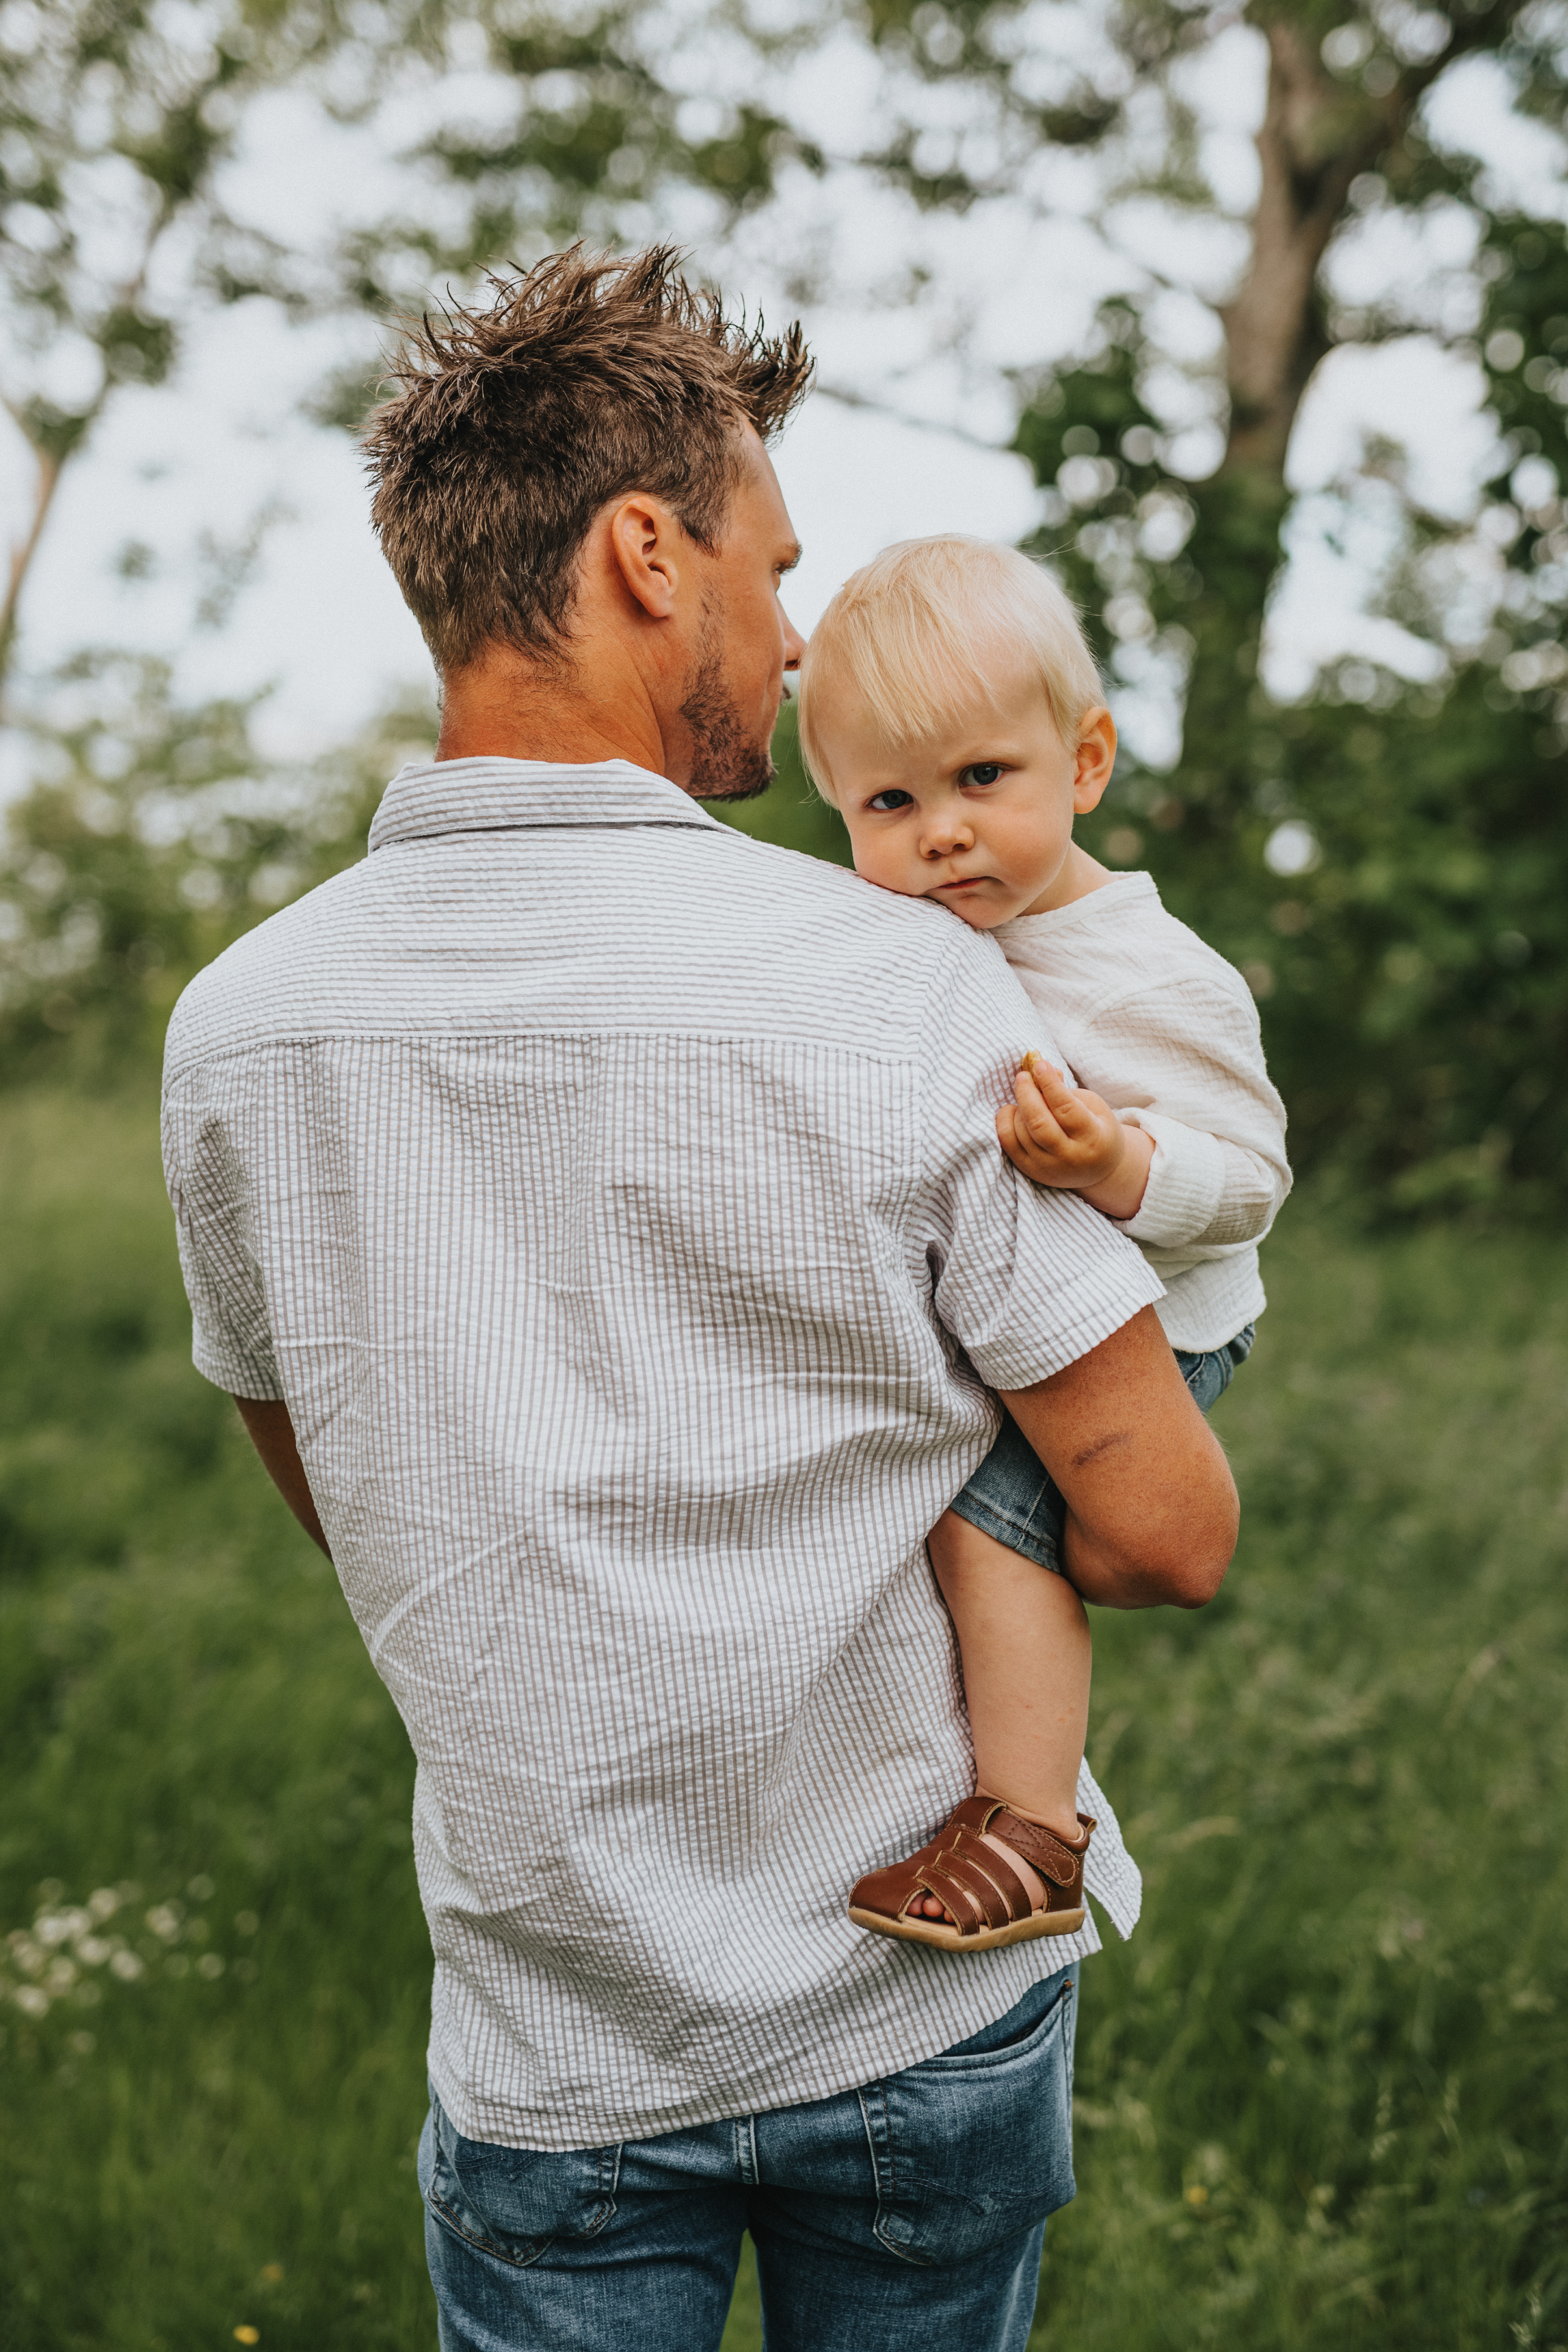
pixel 1414 968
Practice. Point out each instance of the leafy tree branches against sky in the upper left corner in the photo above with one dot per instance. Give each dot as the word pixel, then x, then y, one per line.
pixel 119 119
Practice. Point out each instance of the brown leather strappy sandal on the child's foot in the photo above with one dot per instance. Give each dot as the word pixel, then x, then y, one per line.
pixel 974 1883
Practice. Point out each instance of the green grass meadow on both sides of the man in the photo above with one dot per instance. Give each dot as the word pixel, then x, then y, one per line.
pixel 1322 2094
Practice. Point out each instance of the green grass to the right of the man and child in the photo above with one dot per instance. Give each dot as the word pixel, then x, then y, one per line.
pixel 1325 2085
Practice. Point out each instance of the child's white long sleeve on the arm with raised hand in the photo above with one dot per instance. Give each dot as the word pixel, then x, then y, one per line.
pixel 1186 1064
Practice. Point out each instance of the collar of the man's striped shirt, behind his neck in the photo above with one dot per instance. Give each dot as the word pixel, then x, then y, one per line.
pixel 500 796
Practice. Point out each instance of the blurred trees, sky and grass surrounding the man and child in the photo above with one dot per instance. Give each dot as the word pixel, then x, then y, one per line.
pixel 1254 323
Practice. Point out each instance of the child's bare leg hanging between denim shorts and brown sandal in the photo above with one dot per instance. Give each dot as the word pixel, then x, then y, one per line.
pixel 1026 1657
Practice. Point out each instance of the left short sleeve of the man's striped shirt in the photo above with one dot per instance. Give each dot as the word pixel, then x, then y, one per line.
pixel 217 1255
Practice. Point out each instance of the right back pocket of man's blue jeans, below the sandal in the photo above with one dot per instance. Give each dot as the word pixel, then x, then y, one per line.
pixel 974 2149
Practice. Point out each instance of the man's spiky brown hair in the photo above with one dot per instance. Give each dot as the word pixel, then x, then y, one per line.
pixel 584 380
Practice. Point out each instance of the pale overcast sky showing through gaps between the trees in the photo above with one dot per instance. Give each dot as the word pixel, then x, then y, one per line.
pixel 192 467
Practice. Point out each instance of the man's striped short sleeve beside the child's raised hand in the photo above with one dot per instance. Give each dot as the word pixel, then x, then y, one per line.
pixel 1024 1278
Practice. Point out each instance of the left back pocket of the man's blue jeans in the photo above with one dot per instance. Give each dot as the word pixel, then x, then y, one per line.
pixel 514 2203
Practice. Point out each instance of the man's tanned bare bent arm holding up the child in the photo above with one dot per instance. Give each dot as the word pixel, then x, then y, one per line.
pixel 1151 1499
